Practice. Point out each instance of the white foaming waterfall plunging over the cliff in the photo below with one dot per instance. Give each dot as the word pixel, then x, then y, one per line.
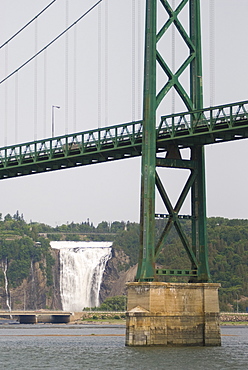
pixel 81 269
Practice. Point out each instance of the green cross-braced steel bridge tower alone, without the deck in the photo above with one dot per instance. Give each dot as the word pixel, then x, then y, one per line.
pixel 197 252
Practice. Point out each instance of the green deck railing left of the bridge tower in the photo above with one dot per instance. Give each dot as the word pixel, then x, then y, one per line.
pixel 78 143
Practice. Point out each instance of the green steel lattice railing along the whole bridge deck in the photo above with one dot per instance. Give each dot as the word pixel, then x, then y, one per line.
pixel 125 135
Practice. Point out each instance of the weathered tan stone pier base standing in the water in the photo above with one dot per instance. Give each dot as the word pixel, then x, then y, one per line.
pixel 172 314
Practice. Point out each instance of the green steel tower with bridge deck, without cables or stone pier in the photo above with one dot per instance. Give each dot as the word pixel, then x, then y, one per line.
pixel 158 141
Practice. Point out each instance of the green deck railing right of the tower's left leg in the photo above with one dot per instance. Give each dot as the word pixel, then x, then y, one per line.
pixel 204 120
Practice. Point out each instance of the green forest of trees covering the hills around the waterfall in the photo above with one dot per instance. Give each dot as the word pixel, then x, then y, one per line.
pixel 22 243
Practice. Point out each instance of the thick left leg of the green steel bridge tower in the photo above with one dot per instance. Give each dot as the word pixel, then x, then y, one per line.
pixel 146 265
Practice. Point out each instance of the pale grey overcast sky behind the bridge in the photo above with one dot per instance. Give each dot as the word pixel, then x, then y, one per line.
pixel 106 95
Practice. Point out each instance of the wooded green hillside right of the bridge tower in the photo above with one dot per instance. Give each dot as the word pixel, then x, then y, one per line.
pixel 228 260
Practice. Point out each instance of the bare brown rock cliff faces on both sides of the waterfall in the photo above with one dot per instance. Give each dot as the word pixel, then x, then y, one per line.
pixel 35 294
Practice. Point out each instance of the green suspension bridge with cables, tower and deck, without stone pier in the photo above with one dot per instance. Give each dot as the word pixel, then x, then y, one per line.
pixel 157 137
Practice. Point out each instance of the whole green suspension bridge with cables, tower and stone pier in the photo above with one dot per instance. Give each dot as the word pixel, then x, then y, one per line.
pixel 158 313
